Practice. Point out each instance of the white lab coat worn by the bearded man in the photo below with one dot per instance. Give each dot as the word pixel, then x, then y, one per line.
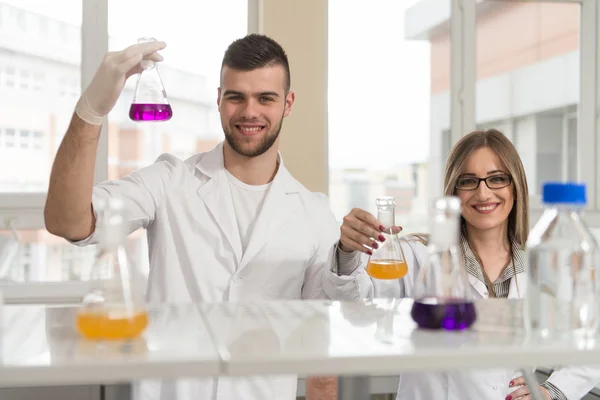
pixel 196 253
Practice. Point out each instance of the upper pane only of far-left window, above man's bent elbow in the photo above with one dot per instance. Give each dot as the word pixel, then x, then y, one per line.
pixel 40 60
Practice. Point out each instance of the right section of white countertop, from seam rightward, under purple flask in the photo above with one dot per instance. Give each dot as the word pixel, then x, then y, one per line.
pixel 357 338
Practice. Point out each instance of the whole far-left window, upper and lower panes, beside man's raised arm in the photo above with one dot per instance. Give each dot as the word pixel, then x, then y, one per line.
pixel 40 74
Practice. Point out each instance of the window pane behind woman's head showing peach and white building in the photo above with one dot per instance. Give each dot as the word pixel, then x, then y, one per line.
pixel 528 82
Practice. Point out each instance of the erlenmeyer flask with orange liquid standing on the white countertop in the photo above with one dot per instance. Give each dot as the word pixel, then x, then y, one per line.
pixel 114 308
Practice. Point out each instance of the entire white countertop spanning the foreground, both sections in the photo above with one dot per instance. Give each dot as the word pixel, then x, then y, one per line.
pixel 40 345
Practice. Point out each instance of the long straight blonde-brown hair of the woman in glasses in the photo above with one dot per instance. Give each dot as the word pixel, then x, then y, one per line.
pixel 518 219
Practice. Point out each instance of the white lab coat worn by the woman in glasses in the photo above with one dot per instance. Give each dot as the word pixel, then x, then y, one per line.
pixel 574 382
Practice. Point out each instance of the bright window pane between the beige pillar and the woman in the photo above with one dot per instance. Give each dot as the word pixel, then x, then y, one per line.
pixel 381 94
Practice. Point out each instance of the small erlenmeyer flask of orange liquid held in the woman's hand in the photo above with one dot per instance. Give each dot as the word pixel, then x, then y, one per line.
pixel 387 261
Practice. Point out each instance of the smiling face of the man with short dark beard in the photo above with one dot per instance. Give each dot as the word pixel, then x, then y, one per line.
pixel 252 105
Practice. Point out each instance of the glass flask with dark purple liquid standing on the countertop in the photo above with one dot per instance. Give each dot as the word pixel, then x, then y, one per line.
pixel 442 291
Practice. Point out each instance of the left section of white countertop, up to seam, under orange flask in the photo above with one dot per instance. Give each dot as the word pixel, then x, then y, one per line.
pixel 41 347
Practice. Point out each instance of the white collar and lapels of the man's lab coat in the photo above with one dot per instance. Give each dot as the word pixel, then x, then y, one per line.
pixel 276 208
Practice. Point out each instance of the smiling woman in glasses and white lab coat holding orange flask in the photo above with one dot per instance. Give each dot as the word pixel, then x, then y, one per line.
pixel 484 170
